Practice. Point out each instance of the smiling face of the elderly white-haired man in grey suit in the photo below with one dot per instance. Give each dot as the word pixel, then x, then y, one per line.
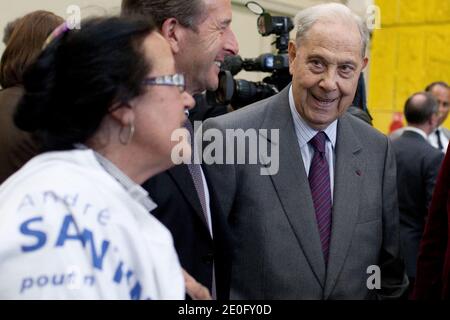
pixel 325 69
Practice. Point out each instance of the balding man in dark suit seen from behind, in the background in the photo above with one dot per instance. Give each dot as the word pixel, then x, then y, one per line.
pixel 417 168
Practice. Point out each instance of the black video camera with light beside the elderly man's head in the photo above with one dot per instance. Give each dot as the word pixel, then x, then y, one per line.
pixel 239 92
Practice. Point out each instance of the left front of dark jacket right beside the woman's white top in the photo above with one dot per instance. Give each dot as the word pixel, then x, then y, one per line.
pixel 180 211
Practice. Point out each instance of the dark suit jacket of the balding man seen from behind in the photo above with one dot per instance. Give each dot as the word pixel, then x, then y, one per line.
pixel 418 164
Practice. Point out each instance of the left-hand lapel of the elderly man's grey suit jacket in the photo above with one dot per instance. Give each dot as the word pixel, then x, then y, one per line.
pixel 292 187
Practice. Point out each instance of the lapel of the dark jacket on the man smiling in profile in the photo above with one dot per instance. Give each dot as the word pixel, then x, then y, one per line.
pixel 180 174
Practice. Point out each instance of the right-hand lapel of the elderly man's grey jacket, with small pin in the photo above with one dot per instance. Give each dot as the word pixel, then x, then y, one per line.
pixel 348 173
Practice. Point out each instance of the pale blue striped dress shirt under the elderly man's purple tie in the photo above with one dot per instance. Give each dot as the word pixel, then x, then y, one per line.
pixel 305 133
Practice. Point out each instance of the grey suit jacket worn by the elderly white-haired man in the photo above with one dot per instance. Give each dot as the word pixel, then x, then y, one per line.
pixel 276 251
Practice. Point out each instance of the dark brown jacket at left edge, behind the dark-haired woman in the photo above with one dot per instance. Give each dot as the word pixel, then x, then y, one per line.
pixel 16 146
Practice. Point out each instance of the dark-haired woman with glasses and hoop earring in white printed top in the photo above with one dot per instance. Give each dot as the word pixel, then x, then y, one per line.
pixel 74 221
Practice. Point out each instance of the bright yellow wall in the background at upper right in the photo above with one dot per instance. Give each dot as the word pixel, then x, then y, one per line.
pixel 411 49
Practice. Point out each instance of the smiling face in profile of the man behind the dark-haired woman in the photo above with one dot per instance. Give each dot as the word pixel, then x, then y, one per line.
pixel 204 49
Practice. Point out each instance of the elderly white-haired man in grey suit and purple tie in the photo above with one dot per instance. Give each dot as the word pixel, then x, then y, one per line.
pixel 325 225
